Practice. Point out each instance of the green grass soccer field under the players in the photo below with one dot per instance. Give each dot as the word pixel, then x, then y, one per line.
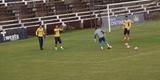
pixel 82 59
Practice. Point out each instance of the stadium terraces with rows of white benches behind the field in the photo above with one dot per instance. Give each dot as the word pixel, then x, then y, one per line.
pixel 26 13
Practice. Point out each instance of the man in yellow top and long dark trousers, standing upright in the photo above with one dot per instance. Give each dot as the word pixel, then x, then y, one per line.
pixel 40 33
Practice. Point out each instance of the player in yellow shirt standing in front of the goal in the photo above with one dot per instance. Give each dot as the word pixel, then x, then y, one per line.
pixel 127 26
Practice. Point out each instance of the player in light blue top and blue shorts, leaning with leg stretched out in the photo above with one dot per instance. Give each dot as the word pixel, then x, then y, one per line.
pixel 101 37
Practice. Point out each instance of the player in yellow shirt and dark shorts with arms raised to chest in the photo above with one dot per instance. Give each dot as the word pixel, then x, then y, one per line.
pixel 57 35
